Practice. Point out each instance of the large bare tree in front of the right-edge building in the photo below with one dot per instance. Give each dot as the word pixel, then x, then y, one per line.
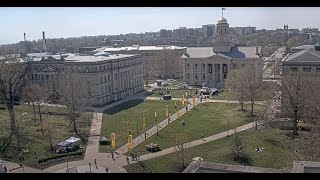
pixel 297 92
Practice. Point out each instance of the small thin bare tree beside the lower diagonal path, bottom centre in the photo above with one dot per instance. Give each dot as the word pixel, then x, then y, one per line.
pixel 182 144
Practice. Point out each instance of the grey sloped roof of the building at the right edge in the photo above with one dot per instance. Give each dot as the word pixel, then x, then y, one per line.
pixel 304 56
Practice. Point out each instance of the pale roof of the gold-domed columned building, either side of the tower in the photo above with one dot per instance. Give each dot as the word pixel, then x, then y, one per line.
pixel 235 52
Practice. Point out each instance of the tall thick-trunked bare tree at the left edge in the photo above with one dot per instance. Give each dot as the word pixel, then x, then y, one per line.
pixel 12 73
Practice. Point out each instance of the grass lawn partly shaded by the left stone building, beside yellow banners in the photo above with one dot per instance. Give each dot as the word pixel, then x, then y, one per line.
pixel 116 120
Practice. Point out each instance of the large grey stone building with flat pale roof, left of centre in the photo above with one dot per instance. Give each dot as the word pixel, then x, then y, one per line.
pixel 109 77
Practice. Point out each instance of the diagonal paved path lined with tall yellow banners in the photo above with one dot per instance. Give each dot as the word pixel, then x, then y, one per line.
pixel 153 130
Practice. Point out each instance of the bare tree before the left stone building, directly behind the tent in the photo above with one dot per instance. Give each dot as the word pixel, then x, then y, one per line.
pixel 74 93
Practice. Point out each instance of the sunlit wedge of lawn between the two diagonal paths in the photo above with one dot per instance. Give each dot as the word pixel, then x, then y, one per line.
pixel 208 119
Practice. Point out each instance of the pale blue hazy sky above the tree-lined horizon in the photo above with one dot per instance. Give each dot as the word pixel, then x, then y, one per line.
pixel 63 22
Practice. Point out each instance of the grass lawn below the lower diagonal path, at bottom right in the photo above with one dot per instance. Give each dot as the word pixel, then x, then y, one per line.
pixel 277 154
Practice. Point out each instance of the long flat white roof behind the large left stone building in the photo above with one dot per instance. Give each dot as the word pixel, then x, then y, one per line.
pixel 141 48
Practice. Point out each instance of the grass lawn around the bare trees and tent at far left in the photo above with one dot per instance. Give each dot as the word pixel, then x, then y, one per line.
pixel 32 139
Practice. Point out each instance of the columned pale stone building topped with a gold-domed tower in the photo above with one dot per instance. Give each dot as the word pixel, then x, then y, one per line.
pixel 211 65
